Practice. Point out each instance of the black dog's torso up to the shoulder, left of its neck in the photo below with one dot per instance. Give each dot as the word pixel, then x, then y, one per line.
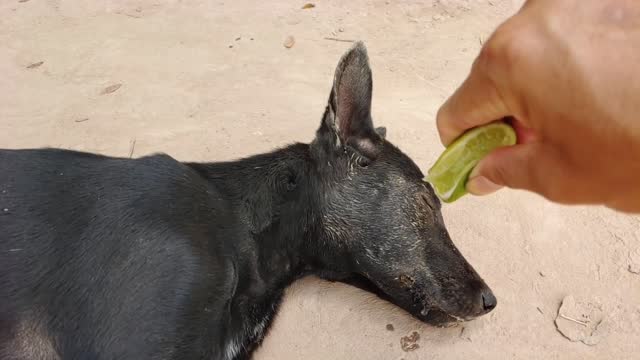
pixel 93 250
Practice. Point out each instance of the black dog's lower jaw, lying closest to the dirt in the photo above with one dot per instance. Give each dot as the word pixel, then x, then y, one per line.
pixel 430 315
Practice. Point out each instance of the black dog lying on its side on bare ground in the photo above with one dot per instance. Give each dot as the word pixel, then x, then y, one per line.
pixel 109 258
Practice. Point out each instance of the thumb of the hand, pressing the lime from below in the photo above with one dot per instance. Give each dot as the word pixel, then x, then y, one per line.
pixel 525 166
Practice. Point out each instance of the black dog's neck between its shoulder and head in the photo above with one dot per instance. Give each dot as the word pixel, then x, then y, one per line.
pixel 275 196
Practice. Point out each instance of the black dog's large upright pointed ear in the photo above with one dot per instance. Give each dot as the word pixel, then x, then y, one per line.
pixel 347 118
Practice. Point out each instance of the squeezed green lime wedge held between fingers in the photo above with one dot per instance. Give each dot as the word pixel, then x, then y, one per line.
pixel 449 174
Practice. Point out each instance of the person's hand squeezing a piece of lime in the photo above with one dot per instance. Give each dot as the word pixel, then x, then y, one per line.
pixel 567 73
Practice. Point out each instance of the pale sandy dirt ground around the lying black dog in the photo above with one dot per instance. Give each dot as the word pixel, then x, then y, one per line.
pixel 211 80
